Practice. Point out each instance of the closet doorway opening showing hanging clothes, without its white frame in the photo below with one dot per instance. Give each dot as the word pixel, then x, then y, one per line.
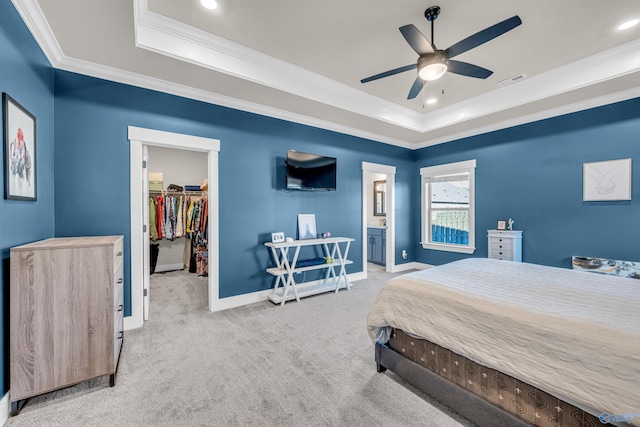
pixel 178 219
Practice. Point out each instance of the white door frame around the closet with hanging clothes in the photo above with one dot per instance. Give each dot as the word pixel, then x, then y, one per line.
pixel 138 138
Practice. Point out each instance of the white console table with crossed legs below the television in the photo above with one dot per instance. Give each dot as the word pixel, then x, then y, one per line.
pixel 285 269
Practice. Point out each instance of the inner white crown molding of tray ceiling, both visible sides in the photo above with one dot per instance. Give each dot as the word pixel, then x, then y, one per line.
pixel 169 37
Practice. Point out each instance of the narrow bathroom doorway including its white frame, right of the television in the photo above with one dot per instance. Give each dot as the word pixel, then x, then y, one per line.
pixel 378 216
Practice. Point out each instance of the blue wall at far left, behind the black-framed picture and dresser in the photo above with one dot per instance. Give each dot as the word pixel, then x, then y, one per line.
pixel 27 77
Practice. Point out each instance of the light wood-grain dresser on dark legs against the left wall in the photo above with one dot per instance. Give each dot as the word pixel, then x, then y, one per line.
pixel 66 313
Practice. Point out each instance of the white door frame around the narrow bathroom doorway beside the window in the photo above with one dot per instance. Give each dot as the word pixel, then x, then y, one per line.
pixel 390 202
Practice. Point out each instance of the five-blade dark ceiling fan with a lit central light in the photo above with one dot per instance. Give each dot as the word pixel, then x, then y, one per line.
pixel 433 63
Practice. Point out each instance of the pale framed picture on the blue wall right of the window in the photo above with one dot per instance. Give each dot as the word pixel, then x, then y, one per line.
pixel 608 180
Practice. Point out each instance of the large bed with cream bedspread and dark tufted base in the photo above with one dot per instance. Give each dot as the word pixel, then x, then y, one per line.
pixel 508 343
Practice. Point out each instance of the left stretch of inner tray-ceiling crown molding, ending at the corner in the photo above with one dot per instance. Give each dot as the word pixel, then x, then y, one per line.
pixel 171 38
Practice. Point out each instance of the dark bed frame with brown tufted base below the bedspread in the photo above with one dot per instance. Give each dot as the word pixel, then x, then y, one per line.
pixel 489 400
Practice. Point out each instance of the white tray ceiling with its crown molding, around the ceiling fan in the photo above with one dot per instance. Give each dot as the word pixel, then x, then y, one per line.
pixel 303 60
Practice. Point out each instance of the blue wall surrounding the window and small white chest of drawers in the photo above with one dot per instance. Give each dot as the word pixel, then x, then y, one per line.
pixel 533 174
